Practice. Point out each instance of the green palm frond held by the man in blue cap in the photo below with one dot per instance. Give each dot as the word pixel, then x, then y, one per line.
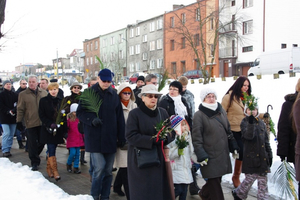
pixel 90 100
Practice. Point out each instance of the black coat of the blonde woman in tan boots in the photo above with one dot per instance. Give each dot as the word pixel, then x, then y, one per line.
pixel 48 110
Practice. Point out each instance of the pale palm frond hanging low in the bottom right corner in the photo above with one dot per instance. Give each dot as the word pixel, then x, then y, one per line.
pixel 284 179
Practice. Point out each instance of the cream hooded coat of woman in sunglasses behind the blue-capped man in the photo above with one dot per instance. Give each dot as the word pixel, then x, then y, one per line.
pixel 121 155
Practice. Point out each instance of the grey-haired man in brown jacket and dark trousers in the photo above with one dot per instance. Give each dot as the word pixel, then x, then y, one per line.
pixel 28 105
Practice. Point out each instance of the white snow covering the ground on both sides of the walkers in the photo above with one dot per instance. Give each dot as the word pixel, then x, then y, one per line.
pixel 27 184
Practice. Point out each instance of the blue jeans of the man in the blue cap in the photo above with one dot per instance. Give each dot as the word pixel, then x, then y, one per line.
pixel 102 165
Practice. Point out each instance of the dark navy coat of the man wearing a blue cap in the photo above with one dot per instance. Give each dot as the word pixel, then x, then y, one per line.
pixel 104 138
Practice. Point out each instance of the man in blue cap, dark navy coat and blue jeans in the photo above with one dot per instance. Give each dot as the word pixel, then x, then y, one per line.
pixel 103 134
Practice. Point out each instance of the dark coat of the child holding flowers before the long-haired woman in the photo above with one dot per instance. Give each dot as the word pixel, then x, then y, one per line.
pixel 257 149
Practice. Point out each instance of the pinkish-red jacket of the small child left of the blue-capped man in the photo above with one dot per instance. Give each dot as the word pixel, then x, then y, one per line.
pixel 75 139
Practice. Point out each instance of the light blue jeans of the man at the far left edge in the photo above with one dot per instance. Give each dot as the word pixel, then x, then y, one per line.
pixel 8 136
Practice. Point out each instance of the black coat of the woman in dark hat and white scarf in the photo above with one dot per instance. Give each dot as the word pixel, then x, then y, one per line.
pixel 167 103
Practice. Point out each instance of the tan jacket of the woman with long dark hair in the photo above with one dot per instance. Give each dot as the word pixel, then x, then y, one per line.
pixel 235 113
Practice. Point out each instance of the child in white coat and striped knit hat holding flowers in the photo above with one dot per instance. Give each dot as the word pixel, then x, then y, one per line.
pixel 181 153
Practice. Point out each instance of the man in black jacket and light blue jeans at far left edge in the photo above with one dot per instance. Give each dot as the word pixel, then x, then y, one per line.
pixel 8 103
